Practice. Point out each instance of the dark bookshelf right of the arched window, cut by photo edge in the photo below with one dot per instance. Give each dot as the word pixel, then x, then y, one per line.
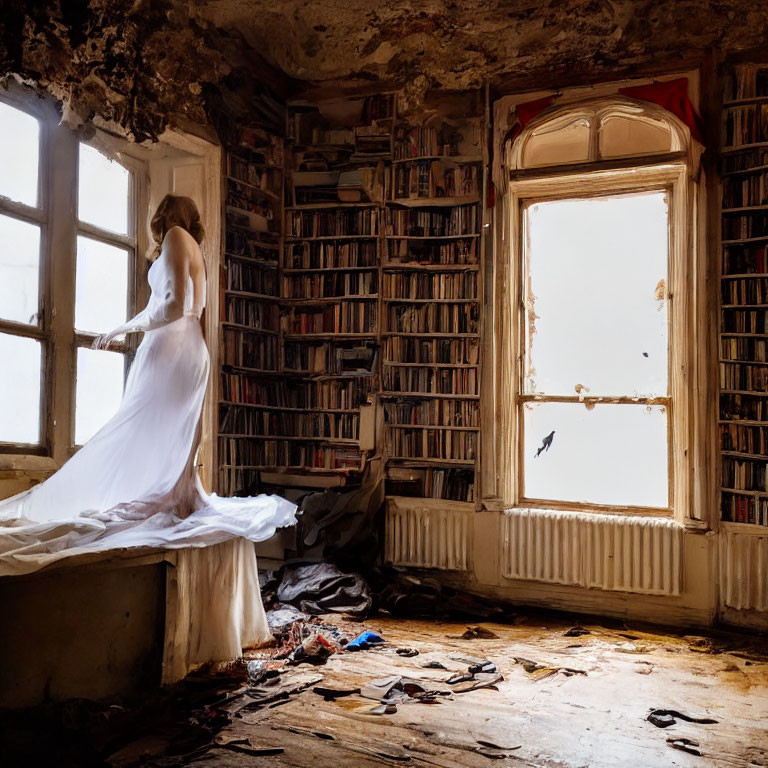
pixel 744 298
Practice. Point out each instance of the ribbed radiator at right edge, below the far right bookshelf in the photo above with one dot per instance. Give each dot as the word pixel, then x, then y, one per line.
pixel 743 570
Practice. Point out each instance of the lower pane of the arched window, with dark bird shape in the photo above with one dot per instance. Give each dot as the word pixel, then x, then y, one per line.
pixel 606 454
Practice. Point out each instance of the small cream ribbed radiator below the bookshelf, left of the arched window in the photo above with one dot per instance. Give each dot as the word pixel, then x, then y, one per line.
pixel 427 535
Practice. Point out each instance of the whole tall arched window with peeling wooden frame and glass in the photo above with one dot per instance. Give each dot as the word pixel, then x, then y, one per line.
pixel 597 348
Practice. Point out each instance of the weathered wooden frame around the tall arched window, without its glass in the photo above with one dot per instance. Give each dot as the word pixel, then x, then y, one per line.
pixel 692 307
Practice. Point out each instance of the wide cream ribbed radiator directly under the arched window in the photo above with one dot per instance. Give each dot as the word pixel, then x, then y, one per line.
pixel 628 554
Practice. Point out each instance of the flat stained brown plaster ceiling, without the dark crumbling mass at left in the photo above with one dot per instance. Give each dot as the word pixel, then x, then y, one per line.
pixel 459 44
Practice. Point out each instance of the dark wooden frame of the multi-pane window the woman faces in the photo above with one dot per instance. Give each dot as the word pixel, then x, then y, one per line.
pixel 57 217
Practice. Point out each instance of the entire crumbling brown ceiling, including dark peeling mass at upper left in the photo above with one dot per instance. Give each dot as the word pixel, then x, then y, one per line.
pixel 144 64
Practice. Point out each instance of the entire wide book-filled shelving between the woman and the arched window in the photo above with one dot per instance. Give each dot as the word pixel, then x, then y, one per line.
pixel 351 322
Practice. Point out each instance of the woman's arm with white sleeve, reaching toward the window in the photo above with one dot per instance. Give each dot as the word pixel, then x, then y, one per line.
pixel 171 306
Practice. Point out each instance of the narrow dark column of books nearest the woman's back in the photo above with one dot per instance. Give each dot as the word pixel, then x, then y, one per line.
pixel 250 295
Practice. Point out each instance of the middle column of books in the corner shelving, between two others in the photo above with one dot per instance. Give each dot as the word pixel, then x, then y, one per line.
pixel 330 276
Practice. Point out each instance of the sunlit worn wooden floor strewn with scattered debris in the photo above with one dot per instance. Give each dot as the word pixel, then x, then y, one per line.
pixel 542 718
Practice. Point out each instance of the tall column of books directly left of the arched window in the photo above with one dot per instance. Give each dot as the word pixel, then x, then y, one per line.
pixel 431 287
